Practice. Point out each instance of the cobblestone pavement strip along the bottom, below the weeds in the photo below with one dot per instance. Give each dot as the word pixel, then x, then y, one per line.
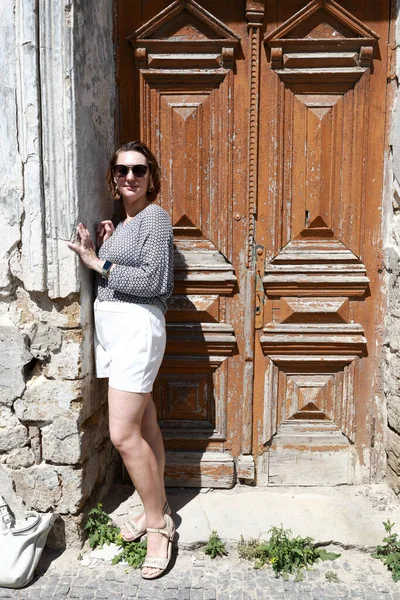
pixel 193 576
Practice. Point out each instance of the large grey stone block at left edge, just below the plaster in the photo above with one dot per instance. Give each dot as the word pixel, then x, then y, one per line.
pixel 14 356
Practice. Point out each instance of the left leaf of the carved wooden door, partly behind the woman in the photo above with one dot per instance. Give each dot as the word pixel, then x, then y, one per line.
pixel 180 88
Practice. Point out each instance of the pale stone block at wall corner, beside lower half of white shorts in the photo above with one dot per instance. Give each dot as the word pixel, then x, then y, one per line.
pixel 66 364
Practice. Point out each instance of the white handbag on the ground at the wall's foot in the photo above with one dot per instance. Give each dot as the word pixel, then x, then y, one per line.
pixel 21 547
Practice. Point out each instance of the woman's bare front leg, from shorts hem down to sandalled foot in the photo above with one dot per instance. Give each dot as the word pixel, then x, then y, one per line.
pixel 126 411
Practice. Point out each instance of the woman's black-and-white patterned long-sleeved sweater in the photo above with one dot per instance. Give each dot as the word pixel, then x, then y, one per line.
pixel 142 251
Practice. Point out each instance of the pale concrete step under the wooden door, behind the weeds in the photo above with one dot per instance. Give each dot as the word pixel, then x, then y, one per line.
pixel 351 516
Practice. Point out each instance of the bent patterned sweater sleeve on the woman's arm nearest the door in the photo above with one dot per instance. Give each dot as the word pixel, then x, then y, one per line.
pixel 154 276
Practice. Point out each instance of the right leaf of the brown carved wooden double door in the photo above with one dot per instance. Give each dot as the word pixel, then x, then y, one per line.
pixel 322 143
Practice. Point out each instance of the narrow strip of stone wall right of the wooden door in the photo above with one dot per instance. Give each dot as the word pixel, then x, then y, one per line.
pixel 392 264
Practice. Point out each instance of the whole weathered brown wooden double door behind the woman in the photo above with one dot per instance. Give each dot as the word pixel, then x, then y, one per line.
pixel 268 119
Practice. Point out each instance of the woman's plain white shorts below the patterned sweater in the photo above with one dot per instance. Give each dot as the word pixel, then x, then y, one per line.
pixel 129 344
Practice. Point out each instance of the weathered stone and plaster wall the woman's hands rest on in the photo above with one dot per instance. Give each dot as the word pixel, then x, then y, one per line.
pixel 57 87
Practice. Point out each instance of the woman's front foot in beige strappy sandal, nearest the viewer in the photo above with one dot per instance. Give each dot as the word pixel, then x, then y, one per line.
pixel 159 549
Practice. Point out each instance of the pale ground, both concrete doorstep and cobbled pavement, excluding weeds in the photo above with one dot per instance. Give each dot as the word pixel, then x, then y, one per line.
pixel 348 518
